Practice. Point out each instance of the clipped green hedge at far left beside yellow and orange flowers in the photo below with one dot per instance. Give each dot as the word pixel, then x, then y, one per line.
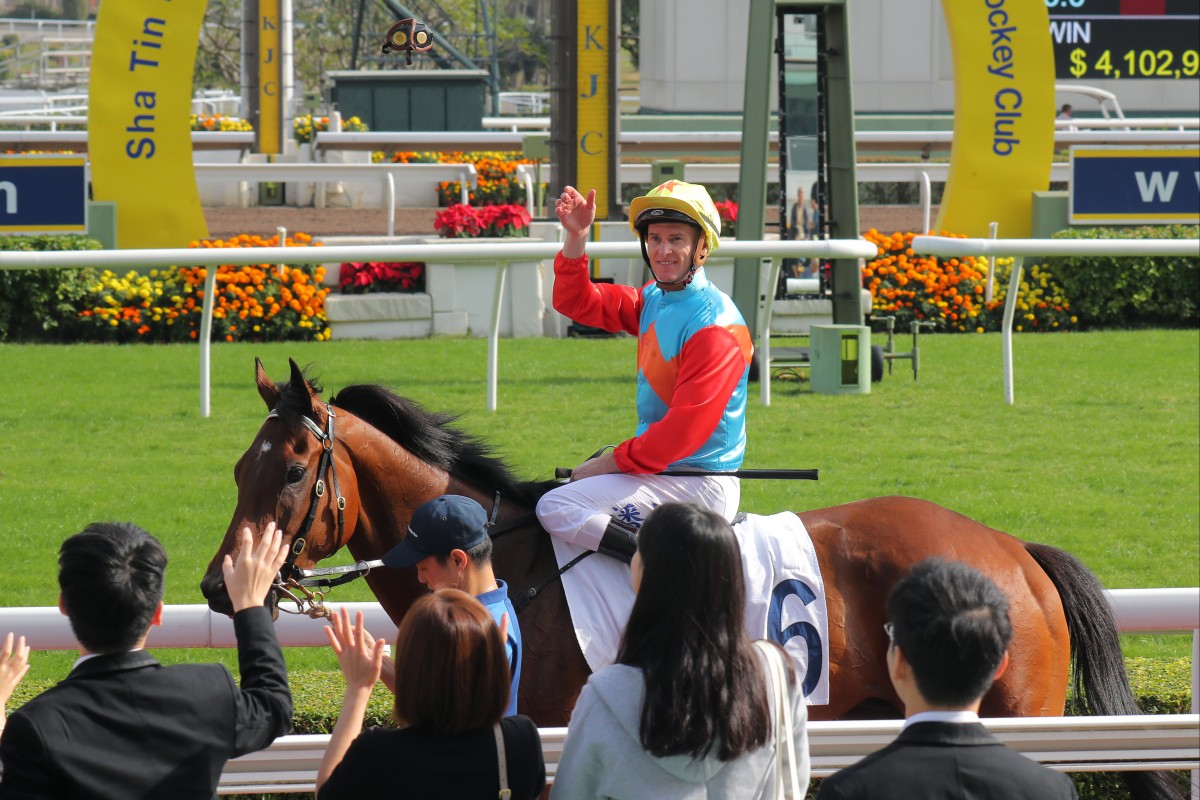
pixel 40 305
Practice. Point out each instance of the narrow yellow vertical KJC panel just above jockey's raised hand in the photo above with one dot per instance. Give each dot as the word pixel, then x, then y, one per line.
pixel 595 151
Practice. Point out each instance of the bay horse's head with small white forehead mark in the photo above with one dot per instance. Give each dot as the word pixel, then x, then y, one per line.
pixel 296 474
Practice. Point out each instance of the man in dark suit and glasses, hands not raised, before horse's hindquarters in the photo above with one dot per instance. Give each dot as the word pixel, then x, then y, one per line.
pixel 950 635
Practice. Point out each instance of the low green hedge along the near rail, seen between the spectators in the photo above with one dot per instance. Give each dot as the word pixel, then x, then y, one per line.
pixel 1162 685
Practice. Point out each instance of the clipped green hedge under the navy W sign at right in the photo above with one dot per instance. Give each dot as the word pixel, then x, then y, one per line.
pixel 1132 292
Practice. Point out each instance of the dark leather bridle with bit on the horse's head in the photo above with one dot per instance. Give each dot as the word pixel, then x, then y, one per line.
pixel 301 586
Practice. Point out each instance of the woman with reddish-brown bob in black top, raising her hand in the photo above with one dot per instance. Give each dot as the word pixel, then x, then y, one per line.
pixel 452 687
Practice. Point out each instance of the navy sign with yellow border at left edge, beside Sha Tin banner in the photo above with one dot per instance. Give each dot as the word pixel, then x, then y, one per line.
pixel 44 195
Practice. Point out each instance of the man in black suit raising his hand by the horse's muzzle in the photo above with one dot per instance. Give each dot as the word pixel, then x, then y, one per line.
pixel 124 726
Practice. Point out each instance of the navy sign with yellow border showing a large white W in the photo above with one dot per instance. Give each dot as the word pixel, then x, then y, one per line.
pixel 1133 187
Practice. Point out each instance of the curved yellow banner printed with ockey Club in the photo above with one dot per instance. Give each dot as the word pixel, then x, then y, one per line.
pixel 1004 116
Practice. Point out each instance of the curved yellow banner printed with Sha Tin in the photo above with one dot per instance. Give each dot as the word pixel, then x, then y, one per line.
pixel 140 140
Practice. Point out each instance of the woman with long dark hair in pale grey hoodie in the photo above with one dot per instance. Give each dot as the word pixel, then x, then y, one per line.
pixel 687 712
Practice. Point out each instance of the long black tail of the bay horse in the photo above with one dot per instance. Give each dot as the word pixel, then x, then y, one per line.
pixel 1101 685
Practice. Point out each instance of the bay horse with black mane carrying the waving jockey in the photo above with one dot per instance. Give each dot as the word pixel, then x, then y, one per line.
pixel 353 471
